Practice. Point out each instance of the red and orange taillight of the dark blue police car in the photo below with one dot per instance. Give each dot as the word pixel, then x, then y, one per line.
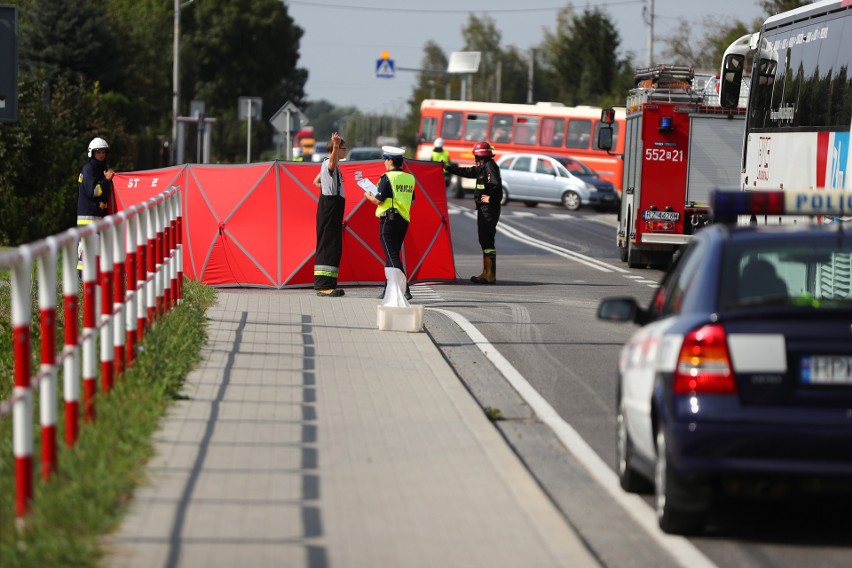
pixel 704 363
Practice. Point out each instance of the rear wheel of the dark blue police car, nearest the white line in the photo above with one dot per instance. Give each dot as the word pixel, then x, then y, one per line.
pixel 676 502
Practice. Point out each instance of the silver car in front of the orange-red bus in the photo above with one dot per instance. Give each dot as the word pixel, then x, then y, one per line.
pixel 537 178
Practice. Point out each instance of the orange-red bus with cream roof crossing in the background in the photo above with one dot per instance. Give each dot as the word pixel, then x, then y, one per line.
pixel 543 128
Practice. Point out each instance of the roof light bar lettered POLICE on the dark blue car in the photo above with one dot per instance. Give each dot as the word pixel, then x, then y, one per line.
pixel 828 202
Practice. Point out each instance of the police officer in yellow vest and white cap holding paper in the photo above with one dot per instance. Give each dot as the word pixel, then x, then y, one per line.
pixel 393 199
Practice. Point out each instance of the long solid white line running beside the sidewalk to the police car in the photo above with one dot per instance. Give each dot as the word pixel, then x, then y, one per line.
pixel 681 550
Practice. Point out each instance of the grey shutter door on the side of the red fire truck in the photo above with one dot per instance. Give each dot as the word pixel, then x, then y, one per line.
pixel 715 149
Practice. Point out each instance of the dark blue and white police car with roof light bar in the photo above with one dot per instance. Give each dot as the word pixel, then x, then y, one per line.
pixel 739 380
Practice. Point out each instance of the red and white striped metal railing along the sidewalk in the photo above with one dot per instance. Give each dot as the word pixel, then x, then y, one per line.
pixel 133 262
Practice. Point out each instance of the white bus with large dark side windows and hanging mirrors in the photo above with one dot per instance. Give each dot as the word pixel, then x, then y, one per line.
pixel 799 123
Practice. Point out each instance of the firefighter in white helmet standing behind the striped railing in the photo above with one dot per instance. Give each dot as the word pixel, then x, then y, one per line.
pixel 94 189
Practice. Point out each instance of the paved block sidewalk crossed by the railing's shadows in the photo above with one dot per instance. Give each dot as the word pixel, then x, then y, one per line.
pixel 311 439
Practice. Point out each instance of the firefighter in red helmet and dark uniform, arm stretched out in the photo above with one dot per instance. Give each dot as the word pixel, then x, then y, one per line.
pixel 487 197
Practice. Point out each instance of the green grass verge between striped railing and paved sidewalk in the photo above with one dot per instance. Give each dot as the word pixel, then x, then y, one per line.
pixel 86 498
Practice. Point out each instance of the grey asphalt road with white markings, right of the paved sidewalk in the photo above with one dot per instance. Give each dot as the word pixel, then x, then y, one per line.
pixel 554 266
